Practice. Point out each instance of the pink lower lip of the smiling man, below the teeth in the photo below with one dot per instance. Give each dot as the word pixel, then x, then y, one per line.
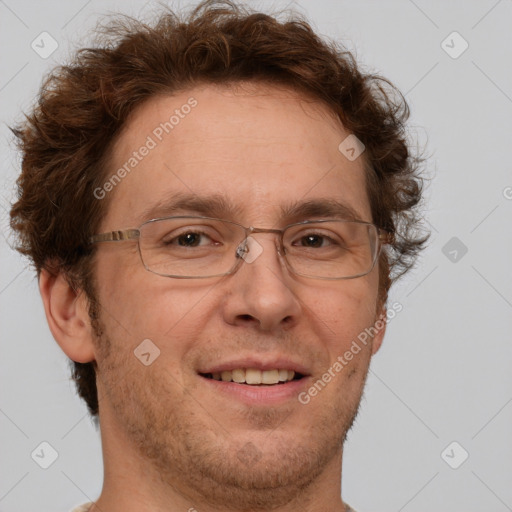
pixel 272 395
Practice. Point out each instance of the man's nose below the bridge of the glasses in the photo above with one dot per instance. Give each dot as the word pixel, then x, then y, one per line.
pixel 262 293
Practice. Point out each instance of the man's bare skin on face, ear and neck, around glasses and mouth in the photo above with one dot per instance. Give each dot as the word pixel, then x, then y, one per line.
pixel 169 442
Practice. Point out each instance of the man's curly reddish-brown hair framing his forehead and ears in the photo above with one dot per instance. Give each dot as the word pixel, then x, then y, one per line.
pixel 82 107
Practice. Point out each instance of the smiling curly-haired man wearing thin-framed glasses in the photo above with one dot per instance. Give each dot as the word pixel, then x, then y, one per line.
pixel 216 208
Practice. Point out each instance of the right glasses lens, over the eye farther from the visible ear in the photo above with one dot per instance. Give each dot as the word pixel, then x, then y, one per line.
pixel 331 249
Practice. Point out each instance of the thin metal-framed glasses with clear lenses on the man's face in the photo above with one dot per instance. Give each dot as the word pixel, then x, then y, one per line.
pixel 199 247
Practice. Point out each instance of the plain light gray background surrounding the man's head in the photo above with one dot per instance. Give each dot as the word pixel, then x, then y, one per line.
pixel 444 371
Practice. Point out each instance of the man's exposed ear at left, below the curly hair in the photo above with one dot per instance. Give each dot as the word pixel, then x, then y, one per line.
pixel 67 314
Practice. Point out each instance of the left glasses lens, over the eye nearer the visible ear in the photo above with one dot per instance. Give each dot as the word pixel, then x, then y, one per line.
pixel 189 246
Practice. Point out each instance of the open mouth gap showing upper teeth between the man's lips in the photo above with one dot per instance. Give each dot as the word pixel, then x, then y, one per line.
pixel 255 377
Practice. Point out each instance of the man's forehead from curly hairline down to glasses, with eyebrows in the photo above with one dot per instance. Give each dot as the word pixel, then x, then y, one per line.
pixel 261 151
